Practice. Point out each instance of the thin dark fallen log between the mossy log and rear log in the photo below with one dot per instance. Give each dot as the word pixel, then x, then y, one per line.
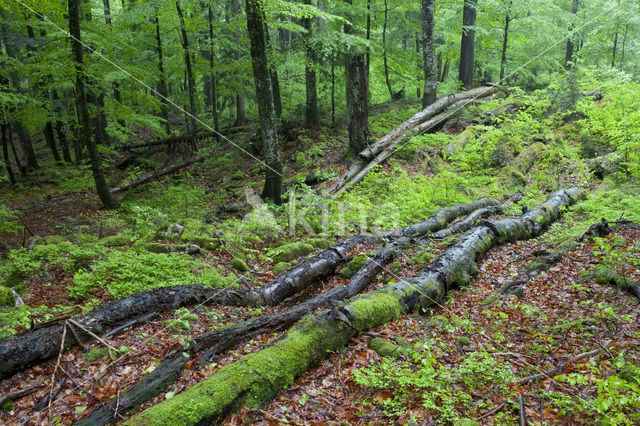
pixel 217 341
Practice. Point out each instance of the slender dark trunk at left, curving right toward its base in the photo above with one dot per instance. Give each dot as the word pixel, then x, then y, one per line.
pixel 81 99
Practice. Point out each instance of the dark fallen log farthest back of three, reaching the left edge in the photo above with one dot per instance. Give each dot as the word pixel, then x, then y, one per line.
pixel 29 348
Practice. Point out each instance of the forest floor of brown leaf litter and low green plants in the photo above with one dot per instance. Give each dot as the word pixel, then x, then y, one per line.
pixel 468 351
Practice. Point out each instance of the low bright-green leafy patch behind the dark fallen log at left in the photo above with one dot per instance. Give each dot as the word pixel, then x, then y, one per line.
pixel 124 273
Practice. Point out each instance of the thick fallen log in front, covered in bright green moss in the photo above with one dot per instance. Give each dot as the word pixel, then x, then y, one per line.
pixel 256 378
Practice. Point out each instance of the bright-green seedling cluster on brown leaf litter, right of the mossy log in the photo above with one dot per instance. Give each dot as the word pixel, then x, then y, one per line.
pixel 441 389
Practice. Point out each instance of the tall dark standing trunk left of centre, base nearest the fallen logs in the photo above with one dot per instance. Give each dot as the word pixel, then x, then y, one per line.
pixel 264 96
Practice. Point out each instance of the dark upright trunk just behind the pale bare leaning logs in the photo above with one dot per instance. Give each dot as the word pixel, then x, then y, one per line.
pixel 357 94
